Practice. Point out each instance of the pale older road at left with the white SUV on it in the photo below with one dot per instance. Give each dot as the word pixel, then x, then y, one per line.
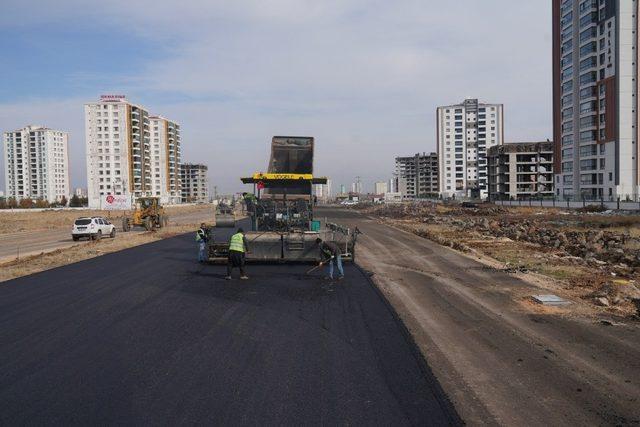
pixel 23 243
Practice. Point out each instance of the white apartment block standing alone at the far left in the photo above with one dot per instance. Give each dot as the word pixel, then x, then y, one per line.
pixel 36 162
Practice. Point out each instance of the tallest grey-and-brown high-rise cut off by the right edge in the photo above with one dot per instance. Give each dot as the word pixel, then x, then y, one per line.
pixel 595 98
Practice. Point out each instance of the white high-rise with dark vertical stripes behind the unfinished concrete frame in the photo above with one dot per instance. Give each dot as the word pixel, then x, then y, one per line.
pixel 464 134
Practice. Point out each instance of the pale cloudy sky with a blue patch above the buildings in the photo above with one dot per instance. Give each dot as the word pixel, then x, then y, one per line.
pixel 364 77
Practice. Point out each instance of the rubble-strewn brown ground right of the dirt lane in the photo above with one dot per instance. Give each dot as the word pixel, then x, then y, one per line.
pixel 592 258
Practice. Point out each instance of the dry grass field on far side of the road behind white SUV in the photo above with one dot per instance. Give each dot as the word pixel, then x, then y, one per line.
pixel 11 222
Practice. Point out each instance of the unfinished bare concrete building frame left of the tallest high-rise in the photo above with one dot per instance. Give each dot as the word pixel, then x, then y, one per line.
pixel 521 171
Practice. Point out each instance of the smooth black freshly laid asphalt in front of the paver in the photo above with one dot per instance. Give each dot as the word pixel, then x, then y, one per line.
pixel 148 336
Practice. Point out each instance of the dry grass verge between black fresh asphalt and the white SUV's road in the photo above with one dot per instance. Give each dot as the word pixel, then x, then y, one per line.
pixel 84 250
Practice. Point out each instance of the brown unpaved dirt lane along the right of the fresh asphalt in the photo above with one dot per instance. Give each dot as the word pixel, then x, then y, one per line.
pixel 500 360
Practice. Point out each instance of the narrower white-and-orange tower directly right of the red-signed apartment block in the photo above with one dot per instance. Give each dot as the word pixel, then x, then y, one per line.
pixel 166 156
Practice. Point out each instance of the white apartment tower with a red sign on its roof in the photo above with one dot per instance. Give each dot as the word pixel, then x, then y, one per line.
pixel 118 141
